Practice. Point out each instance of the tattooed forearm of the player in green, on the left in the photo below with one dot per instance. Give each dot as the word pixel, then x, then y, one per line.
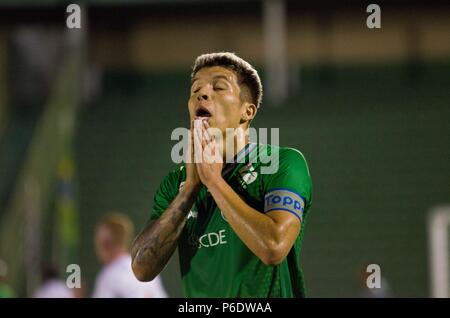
pixel 155 245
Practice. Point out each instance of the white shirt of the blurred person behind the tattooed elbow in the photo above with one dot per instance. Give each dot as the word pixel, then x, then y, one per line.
pixel 116 280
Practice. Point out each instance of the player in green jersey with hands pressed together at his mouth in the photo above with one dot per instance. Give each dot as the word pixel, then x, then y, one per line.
pixel 238 230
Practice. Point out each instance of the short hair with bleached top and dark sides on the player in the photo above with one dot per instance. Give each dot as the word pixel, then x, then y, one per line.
pixel 247 74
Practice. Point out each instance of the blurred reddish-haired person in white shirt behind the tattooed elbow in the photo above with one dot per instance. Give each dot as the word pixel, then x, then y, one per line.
pixel 116 280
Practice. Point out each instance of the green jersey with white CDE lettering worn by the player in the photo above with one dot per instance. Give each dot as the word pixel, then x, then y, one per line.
pixel 214 262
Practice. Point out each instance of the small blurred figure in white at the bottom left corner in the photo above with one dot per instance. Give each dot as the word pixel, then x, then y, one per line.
pixel 52 285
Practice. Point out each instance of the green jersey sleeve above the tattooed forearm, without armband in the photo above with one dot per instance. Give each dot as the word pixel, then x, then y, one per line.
pixel 166 193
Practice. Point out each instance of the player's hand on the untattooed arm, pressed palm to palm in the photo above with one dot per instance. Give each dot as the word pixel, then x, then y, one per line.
pixel 209 167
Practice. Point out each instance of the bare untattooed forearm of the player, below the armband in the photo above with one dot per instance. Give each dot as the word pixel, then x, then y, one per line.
pixel 259 232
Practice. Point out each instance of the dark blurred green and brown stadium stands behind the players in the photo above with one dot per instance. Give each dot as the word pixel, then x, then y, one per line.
pixel 86 117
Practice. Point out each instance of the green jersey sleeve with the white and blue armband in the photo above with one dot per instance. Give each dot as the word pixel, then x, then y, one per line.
pixel 289 189
